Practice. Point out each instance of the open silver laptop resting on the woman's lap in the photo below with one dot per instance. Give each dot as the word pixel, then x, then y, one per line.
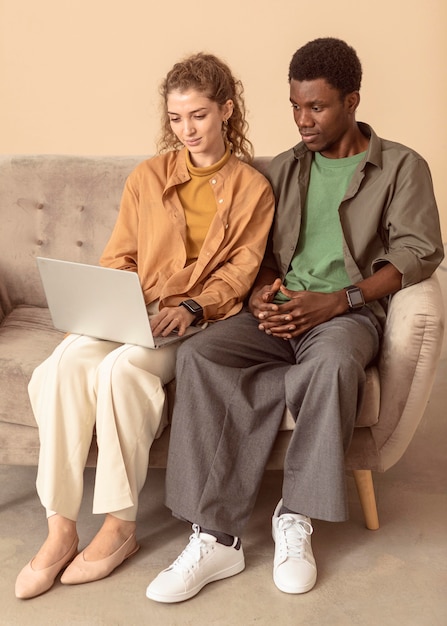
pixel 100 302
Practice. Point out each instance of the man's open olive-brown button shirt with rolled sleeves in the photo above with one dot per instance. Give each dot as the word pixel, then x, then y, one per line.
pixel 387 215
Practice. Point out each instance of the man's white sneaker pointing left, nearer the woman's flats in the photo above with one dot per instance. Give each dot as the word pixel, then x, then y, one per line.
pixel 201 562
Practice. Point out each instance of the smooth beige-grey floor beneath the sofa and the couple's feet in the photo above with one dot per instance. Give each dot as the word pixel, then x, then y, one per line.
pixel 394 576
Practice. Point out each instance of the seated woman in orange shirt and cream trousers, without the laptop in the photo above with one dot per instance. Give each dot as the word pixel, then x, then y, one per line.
pixel 193 223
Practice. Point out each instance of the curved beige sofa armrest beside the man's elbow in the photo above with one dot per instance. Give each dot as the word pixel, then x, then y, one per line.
pixel 409 356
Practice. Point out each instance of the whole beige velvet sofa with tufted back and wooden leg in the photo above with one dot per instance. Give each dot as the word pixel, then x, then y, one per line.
pixel 65 207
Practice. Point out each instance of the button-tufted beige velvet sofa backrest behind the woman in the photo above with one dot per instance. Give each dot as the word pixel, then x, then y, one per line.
pixel 60 207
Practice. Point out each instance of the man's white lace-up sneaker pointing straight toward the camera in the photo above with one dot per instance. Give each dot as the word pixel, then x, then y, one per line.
pixel 294 567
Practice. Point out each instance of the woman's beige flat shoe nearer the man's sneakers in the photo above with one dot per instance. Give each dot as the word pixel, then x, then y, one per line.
pixel 82 571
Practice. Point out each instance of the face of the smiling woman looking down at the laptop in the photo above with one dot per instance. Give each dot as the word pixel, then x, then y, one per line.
pixel 197 123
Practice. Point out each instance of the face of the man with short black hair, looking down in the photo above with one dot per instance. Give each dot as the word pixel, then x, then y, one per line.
pixel 324 119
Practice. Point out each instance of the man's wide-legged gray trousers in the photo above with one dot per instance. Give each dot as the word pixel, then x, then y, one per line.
pixel 233 383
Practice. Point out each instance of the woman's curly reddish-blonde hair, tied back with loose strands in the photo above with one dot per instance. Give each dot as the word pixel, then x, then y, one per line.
pixel 209 75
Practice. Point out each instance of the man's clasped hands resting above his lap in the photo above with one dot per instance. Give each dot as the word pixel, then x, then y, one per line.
pixel 303 311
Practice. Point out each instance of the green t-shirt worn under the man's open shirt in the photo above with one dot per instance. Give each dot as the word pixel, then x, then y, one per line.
pixel 318 263
